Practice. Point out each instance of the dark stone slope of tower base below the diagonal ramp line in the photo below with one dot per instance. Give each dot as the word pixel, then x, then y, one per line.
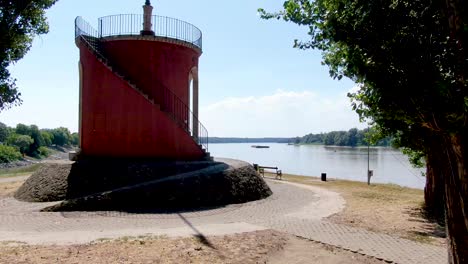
pixel 216 185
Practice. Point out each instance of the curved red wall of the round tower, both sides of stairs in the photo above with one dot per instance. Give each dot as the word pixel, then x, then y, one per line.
pixel 117 121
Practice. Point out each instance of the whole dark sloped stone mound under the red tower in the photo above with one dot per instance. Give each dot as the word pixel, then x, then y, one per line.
pixel 139 186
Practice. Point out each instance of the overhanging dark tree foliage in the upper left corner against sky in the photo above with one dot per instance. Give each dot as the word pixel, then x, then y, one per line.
pixel 20 21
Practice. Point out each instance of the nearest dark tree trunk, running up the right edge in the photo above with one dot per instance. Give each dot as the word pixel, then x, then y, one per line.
pixel 456 183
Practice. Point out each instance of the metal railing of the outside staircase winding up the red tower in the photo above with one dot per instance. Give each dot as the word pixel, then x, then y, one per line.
pixel 167 99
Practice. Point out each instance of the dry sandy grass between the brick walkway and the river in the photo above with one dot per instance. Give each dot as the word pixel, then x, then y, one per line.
pixel 388 209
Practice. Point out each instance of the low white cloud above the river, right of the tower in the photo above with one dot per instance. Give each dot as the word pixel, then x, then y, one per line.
pixel 282 114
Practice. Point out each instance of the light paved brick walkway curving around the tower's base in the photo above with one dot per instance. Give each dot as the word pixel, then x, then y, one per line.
pixel 292 209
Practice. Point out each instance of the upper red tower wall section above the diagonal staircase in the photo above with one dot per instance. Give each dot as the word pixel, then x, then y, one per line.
pixel 152 63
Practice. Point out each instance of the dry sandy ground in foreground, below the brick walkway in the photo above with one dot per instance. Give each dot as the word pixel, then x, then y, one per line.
pixel 255 247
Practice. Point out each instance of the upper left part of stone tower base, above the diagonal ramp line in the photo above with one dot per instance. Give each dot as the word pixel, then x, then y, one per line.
pixel 58 180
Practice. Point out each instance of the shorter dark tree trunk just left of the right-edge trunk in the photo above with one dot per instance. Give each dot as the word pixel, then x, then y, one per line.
pixel 434 191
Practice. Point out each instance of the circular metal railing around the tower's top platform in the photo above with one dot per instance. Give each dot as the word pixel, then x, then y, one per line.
pixel 165 27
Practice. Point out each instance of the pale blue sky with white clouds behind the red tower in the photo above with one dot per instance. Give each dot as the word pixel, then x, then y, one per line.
pixel 252 82
